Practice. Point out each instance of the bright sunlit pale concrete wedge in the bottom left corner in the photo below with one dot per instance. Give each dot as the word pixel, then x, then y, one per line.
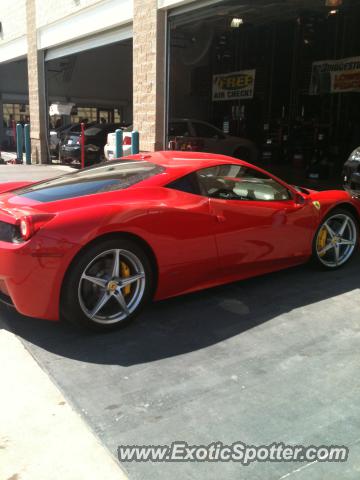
pixel 41 436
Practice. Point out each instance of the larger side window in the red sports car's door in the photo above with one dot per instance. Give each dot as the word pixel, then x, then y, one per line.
pixel 238 182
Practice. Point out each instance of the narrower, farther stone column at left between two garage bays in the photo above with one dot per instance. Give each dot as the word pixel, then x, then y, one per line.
pixel 37 95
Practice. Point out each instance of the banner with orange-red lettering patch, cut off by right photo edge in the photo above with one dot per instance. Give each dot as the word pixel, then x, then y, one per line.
pixel 335 76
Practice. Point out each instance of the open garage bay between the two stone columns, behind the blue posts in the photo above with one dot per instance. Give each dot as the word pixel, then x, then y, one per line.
pixel 95 81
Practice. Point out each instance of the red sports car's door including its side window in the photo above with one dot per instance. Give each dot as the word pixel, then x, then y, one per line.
pixel 260 222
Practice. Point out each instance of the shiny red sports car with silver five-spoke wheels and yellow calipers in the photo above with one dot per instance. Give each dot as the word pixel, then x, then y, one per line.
pixel 95 245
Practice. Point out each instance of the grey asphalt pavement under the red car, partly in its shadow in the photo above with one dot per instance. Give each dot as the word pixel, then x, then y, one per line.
pixel 270 359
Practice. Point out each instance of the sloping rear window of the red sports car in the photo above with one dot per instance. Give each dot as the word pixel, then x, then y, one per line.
pixel 102 178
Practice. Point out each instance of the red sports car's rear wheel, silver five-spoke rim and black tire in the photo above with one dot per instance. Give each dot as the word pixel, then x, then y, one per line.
pixel 107 285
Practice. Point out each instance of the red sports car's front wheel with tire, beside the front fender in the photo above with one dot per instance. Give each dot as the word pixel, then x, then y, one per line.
pixel 336 239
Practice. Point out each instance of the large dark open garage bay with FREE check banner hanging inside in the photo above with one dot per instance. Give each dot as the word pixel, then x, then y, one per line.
pixel 283 75
